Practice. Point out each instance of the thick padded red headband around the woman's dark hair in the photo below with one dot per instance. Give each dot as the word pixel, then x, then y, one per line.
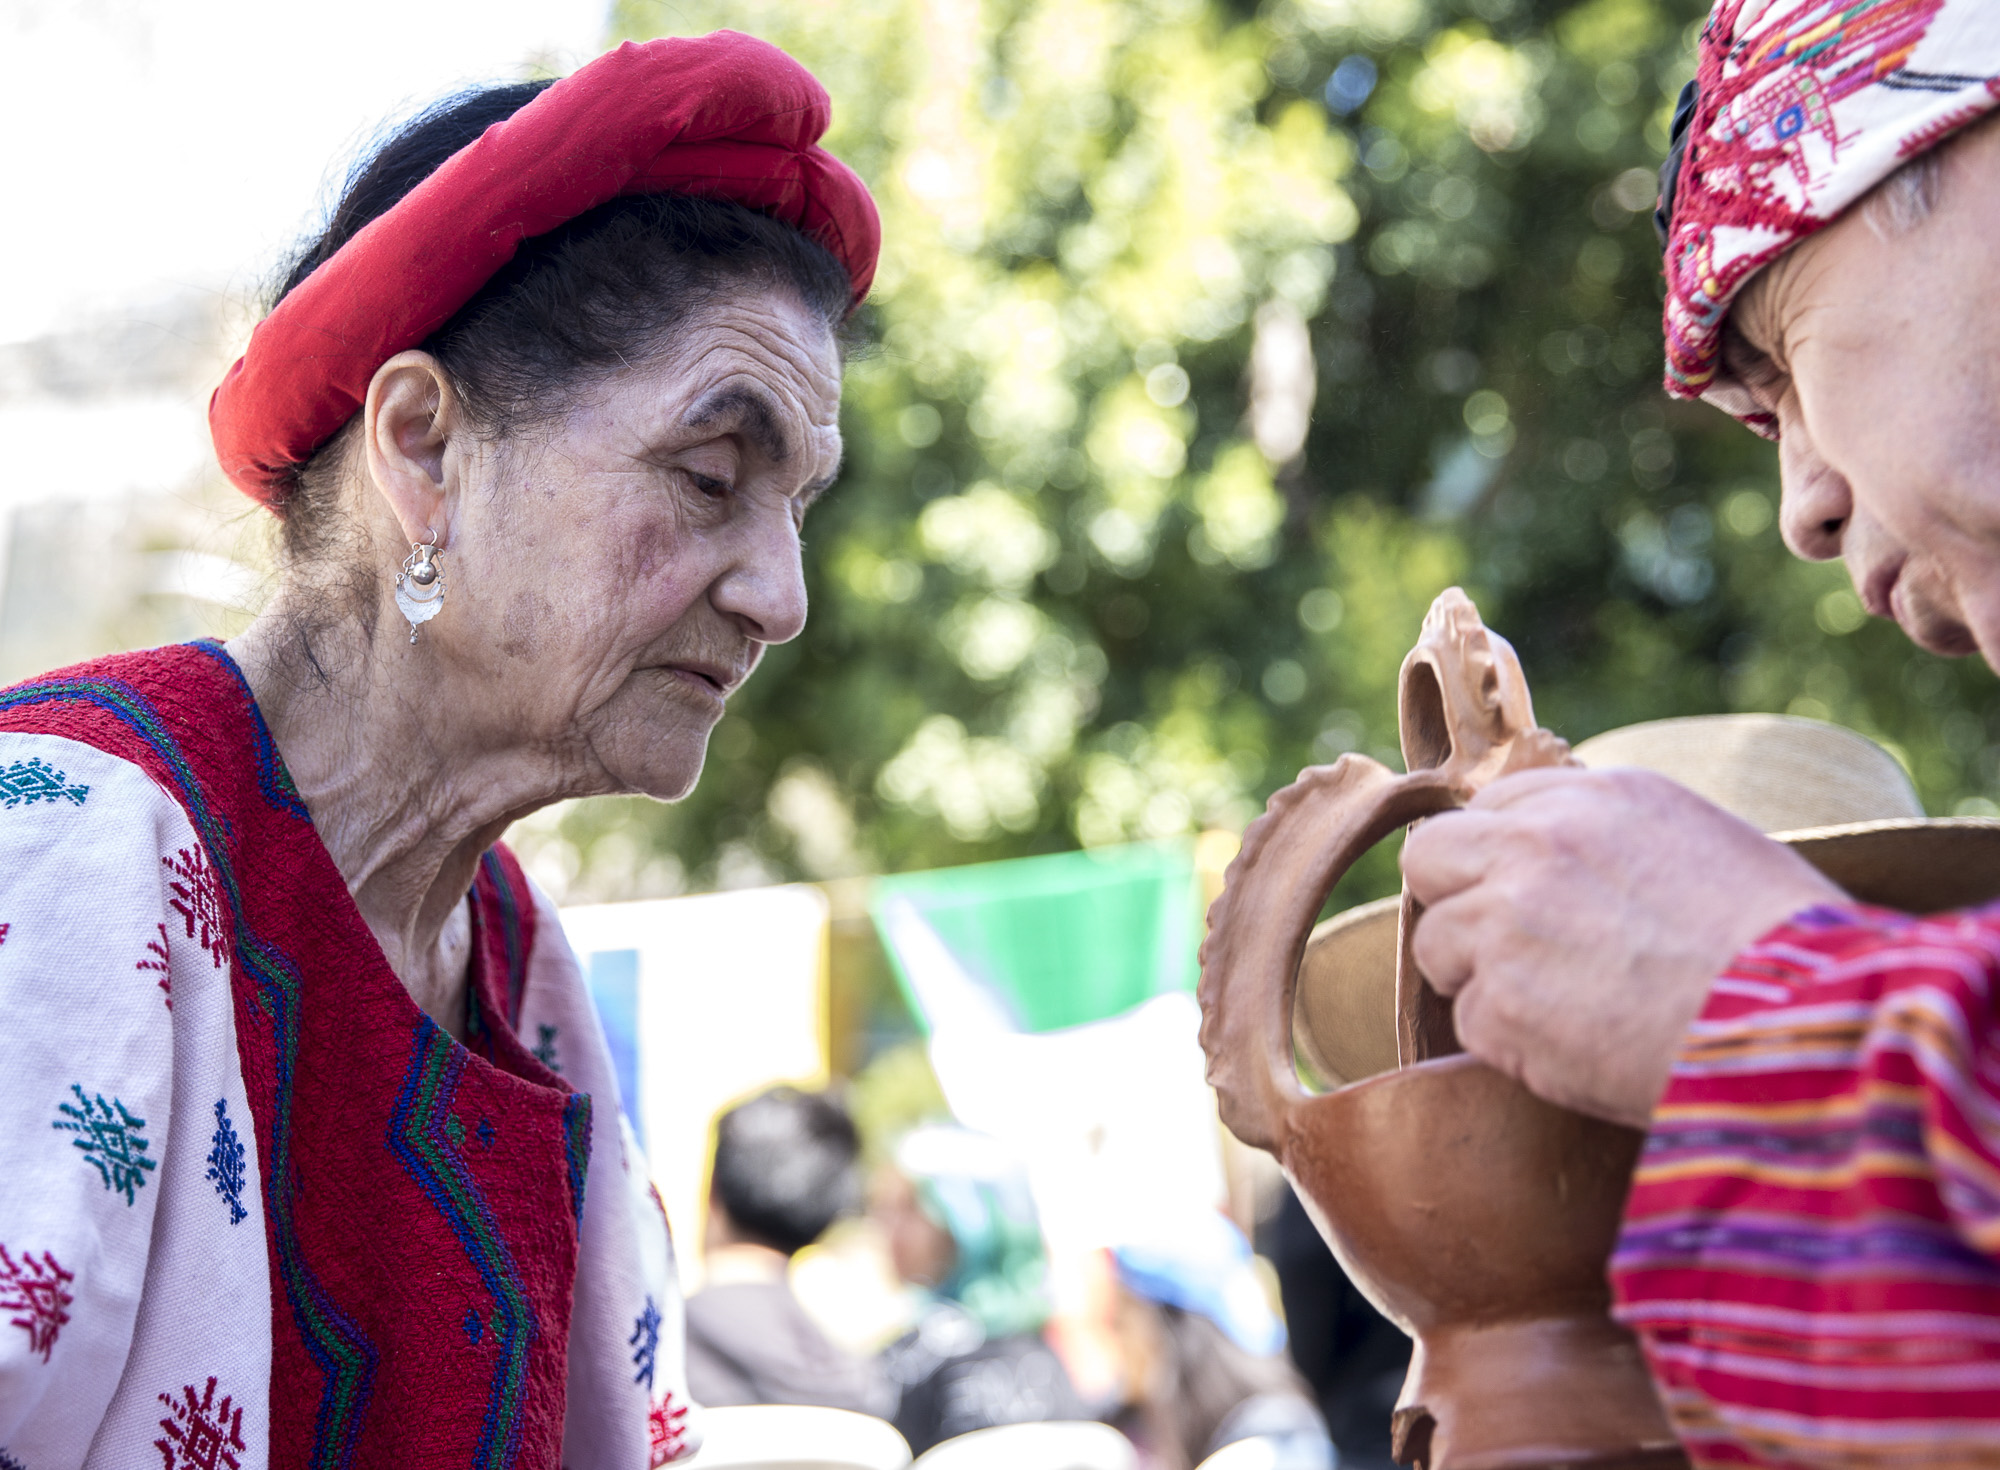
pixel 721 117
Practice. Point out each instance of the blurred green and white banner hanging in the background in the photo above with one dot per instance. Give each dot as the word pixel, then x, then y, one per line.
pixel 1059 997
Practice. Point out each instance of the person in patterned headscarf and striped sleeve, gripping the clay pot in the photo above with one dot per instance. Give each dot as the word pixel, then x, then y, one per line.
pixel 1811 1253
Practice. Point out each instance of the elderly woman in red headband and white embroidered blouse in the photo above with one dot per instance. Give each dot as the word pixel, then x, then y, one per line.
pixel 541 415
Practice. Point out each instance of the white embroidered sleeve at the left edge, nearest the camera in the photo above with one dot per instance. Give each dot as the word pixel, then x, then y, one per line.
pixel 133 1269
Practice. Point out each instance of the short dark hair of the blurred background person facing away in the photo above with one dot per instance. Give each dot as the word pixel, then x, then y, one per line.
pixel 785 1167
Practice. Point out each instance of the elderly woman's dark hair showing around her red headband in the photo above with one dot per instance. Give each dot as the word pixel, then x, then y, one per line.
pixel 595 295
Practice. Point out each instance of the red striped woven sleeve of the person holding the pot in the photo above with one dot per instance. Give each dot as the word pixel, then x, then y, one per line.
pixel 1811 1253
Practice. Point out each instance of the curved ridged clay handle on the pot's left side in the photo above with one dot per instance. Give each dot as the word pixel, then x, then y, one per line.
pixel 1293 857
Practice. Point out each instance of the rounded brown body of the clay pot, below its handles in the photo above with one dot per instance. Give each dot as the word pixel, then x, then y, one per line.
pixel 1479 1219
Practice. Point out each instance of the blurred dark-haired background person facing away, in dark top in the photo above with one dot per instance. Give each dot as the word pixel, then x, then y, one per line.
pixel 785 1171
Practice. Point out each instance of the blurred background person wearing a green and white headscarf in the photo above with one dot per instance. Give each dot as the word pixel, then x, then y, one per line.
pixel 961 1225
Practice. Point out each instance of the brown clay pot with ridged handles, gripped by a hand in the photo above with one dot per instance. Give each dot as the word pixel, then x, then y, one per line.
pixel 1473 1213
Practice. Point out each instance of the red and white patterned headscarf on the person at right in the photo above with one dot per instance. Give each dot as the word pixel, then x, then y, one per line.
pixel 1799 109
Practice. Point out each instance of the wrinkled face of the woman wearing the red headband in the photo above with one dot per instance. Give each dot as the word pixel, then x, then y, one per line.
pixel 617 575
